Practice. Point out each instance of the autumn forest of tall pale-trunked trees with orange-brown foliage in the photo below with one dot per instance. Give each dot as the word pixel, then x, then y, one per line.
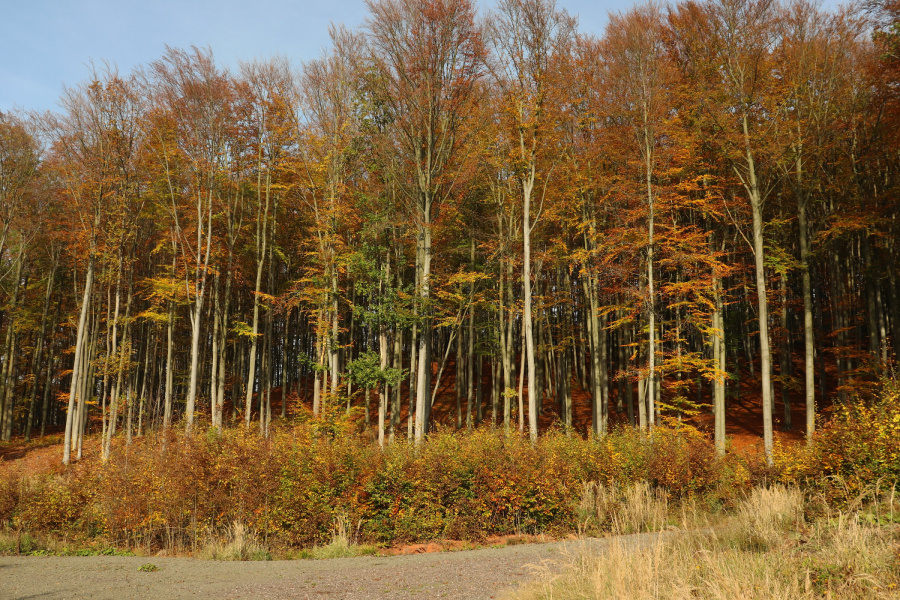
pixel 457 218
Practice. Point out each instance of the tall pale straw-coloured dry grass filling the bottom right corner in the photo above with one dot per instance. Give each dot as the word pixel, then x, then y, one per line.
pixel 765 551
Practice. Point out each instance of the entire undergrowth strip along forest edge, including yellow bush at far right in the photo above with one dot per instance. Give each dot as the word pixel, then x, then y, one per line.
pixel 327 490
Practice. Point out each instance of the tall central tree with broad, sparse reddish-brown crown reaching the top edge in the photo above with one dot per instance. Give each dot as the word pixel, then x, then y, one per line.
pixel 429 57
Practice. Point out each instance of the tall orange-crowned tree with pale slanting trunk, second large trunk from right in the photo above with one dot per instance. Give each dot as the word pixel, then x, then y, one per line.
pixel 730 43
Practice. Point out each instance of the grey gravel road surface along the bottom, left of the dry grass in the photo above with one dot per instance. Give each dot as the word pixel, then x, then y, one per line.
pixel 471 575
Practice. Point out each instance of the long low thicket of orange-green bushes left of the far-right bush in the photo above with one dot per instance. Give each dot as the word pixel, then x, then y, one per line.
pixel 294 489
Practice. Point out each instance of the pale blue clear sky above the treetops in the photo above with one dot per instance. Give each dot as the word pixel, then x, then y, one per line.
pixel 46 44
